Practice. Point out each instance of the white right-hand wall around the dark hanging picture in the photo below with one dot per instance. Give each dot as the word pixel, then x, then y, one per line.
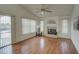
pixel 74 33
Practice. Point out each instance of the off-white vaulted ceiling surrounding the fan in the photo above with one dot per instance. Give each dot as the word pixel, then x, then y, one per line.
pixel 58 9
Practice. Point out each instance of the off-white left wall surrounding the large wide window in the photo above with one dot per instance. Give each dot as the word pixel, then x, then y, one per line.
pixel 18 12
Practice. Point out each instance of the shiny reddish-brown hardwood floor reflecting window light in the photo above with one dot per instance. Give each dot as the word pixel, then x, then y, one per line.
pixel 41 45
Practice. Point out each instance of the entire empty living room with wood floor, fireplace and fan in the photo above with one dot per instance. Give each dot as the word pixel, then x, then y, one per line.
pixel 39 28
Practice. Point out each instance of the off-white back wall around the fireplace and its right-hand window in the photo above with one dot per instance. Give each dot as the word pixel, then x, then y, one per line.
pixel 58 20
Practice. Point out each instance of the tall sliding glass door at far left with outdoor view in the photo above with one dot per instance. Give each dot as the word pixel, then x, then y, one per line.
pixel 5 30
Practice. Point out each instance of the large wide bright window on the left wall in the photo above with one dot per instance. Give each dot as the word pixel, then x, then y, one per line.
pixel 28 26
